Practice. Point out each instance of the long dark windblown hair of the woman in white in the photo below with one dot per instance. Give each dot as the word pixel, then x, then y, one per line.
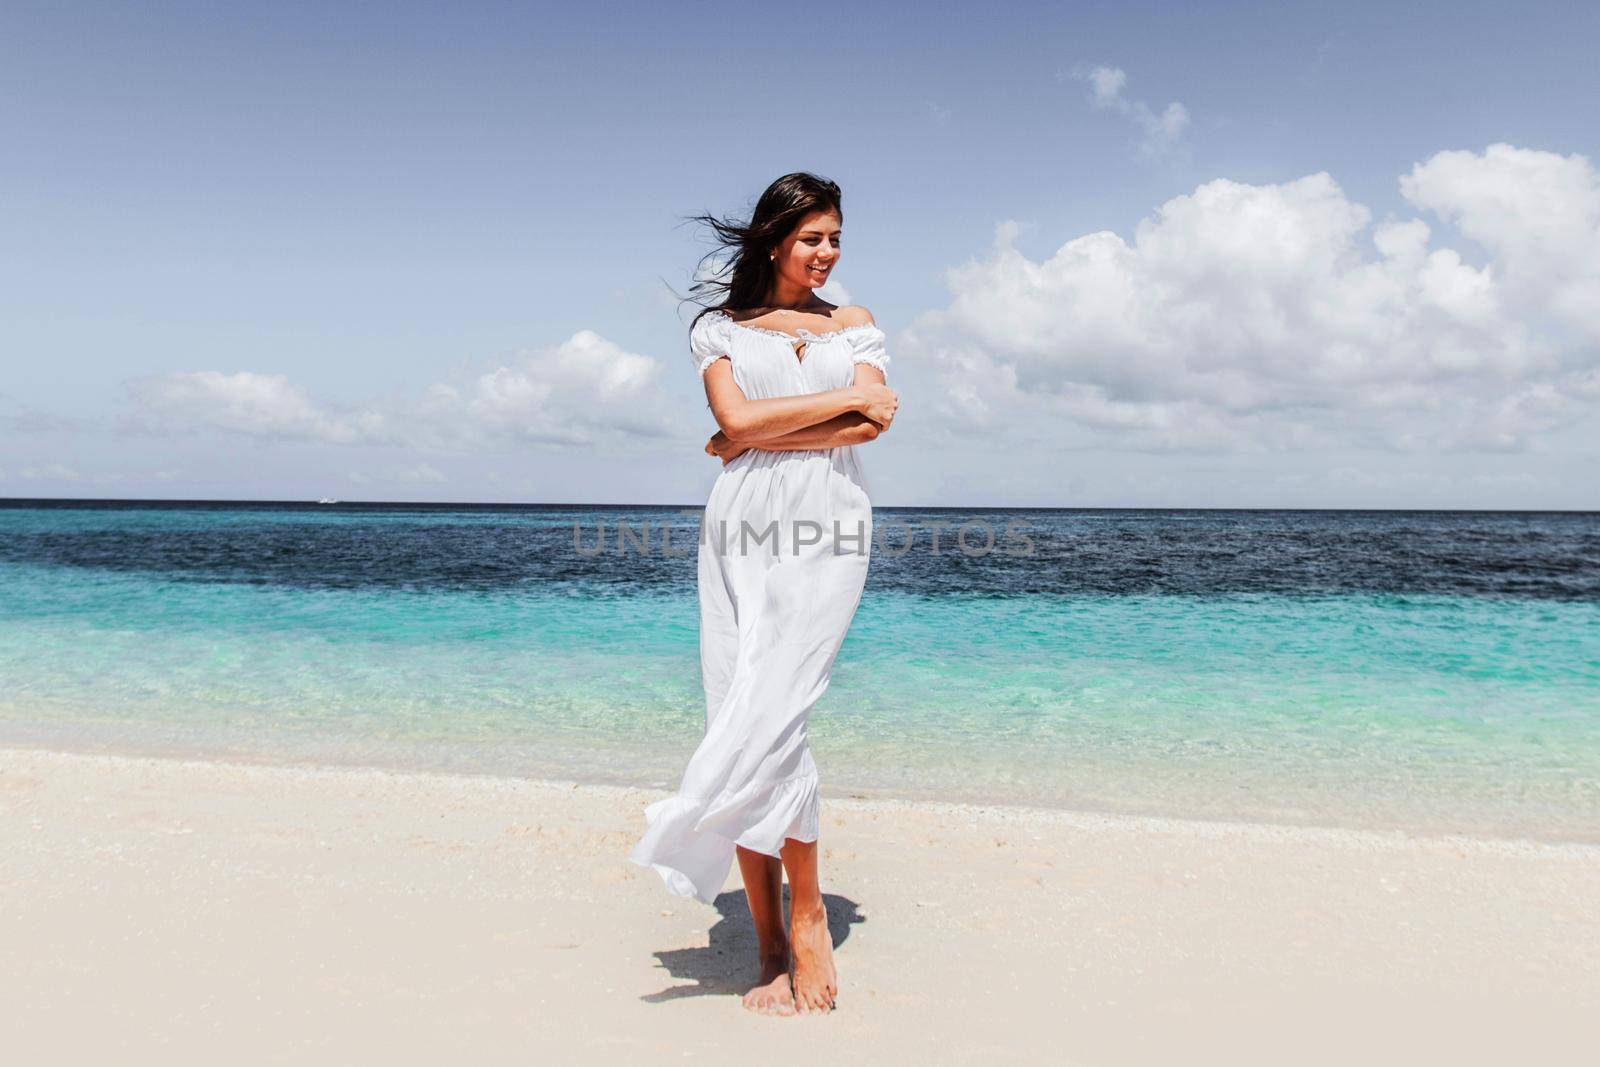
pixel 746 278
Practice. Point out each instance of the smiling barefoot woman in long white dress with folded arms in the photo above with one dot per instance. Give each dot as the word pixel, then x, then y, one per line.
pixel 796 385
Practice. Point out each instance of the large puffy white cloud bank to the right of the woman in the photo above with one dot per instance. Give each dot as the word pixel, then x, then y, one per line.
pixel 1282 318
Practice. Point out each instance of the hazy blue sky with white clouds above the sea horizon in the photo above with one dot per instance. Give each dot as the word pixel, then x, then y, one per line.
pixel 359 206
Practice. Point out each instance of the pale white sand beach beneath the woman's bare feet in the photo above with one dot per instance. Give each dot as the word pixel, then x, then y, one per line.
pixel 186 911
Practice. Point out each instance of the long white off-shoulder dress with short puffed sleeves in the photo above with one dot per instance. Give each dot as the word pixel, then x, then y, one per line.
pixel 774 612
